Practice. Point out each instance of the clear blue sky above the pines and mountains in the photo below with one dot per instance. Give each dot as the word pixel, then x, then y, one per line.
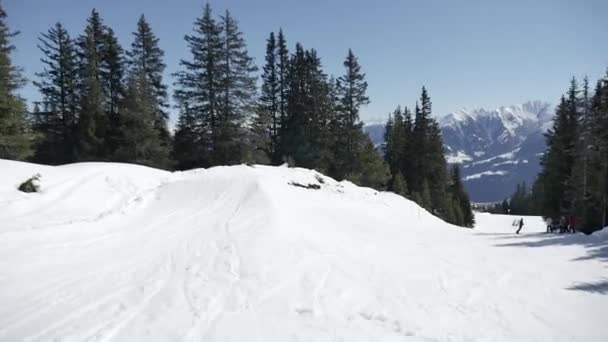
pixel 468 53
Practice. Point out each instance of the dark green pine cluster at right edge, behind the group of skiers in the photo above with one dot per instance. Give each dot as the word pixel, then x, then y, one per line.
pixel 574 176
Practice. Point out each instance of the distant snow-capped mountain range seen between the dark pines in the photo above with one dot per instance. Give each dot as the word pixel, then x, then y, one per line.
pixel 496 148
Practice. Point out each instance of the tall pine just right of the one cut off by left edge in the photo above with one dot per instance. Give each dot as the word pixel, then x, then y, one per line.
pixel 57 84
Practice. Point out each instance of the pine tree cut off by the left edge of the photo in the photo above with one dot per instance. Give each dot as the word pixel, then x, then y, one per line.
pixel 14 131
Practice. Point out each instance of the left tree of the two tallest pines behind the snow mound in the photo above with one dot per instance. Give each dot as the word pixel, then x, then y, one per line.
pixel 198 95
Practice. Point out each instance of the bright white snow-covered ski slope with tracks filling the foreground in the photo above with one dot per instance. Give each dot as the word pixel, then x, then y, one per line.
pixel 114 252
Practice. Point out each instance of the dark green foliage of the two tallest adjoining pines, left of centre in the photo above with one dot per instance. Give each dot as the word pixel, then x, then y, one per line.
pixel 217 89
